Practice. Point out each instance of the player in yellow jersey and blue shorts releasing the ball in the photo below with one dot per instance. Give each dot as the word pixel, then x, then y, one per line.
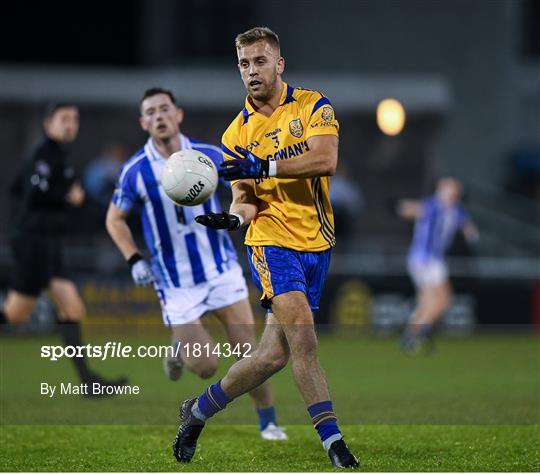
pixel 284 199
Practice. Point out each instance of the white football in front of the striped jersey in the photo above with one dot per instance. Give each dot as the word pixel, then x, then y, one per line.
pixel 189 177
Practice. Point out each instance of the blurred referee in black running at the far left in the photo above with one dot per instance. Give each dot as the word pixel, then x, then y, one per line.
pixel 44 190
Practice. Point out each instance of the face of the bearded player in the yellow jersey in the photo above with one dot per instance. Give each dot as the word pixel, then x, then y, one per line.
pixel 260 67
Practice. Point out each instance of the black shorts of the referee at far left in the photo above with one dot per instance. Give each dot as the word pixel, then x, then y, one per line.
pixel 37 260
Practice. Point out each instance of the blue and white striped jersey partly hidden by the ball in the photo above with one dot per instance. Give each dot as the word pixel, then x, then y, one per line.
pixel 183 253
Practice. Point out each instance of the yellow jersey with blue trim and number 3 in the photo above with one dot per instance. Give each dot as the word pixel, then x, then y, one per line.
pixel 293 213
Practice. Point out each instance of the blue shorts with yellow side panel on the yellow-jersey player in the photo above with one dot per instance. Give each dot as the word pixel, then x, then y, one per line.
pixel 277 270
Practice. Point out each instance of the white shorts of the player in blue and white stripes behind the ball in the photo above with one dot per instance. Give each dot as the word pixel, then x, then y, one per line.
pixel 183 305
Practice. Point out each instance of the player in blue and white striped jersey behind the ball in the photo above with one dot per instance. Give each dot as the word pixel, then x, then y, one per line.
pixel 195 270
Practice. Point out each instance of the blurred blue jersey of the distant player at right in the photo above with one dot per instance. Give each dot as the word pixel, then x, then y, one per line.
pixel 435 229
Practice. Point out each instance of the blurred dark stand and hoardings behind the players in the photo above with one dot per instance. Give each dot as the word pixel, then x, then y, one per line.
pixel 465 71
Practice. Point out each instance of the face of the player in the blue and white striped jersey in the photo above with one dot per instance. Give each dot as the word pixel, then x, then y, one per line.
pixel 160 117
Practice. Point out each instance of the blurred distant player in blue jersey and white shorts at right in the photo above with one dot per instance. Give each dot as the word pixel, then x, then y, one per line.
pixel 437 219
